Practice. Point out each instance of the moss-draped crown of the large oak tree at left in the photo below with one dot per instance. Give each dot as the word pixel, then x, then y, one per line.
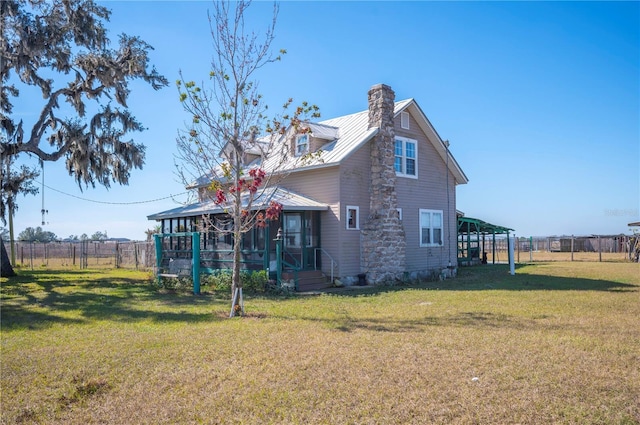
pixel 61 49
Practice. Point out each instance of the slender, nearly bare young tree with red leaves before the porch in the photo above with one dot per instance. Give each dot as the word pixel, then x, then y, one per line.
pixel 231 149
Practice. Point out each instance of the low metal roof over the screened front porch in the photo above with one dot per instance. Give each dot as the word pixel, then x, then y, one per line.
pixel 289 200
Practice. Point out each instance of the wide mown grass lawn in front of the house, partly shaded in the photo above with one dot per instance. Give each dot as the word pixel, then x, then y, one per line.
pixel 556 343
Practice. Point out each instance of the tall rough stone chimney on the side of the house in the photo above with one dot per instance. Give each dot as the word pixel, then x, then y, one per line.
pixel 382 236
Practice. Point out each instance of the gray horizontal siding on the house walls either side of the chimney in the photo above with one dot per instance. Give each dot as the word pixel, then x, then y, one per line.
pixel 349 184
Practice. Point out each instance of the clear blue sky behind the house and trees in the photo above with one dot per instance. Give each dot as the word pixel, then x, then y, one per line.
pixel 540 101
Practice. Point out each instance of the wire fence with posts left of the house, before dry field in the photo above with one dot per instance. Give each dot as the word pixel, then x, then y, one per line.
pixel 84 254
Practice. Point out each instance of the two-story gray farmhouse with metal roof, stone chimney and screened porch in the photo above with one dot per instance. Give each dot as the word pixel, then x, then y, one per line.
pixel 377 199
